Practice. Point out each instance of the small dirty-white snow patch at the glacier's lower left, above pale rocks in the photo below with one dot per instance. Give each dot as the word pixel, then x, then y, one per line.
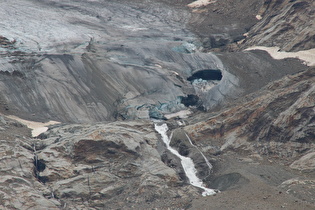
pixel 37 127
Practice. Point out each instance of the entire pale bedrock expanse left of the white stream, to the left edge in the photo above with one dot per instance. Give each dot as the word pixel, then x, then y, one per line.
pixel 116 165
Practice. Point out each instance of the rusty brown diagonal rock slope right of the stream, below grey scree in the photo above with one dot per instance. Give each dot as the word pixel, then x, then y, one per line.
pixel 277 121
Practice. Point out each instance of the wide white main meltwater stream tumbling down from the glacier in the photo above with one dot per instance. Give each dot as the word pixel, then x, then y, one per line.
pixel 187 163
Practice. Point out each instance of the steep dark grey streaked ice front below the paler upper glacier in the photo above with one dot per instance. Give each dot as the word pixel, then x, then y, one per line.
pixel 84 88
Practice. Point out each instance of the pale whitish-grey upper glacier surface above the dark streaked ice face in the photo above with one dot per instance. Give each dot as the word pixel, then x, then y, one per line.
pixel 52 26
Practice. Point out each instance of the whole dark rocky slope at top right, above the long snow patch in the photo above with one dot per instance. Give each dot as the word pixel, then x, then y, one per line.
pixel 224 26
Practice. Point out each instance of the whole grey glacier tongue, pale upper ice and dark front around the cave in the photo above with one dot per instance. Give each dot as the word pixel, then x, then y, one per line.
pixel 96 61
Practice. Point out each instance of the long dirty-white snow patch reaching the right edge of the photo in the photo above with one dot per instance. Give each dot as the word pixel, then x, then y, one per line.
pixel 308 56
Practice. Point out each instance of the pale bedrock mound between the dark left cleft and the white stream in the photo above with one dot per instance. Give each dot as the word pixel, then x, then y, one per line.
pixel 114 165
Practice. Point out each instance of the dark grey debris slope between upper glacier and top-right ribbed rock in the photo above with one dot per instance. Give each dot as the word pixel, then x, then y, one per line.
pixel 223 22
